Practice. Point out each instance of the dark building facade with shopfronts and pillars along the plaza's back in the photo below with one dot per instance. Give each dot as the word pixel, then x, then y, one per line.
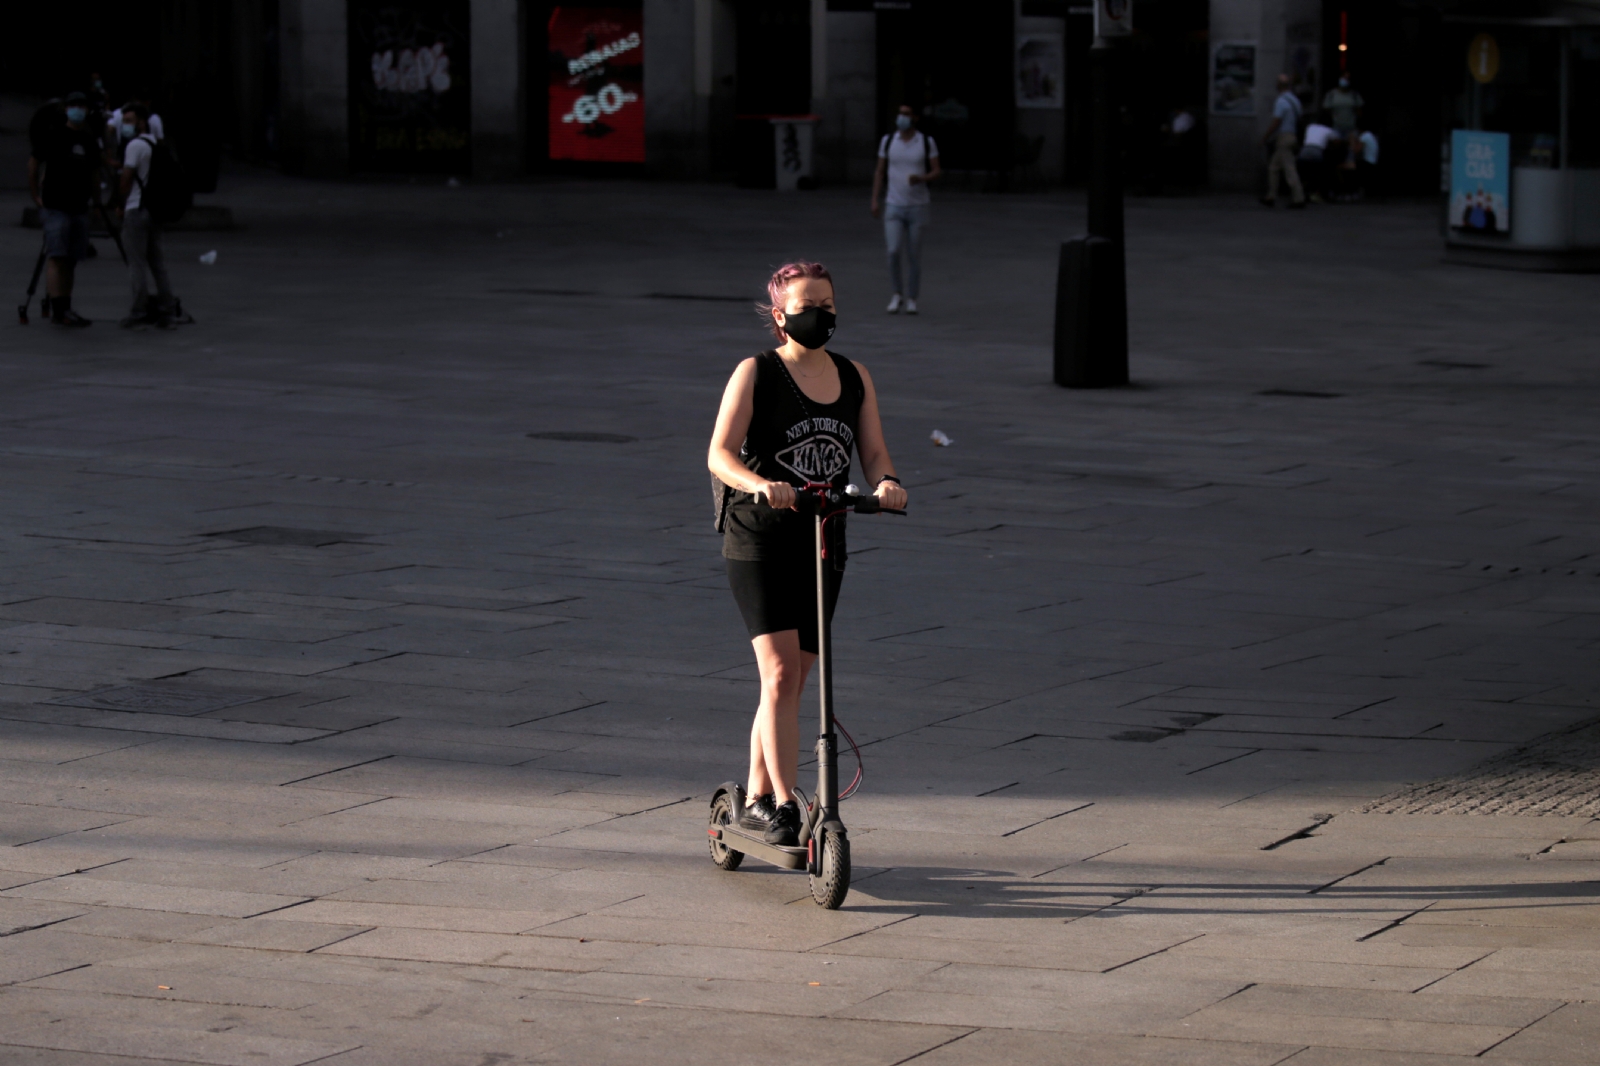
pixel 690 87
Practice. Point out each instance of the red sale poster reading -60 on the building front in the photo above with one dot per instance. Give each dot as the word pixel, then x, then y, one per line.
pixel 598 84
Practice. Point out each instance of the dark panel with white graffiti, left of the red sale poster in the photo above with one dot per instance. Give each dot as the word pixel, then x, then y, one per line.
pixel 410 102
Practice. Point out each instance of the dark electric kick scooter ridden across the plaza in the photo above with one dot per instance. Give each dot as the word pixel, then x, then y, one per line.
pixel 823 848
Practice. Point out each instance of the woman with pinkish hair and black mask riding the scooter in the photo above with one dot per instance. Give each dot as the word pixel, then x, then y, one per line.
pixel 790 417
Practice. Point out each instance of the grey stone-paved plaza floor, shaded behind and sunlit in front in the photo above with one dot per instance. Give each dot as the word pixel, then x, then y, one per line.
pixel 345 721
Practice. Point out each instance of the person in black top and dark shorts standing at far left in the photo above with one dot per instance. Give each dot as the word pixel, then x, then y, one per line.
pixel 62 172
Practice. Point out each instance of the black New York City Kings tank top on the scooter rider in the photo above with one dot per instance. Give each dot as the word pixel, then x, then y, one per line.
pixel 793 439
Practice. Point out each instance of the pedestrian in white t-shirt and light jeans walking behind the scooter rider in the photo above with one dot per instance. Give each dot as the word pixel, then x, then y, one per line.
pixel 908 161
